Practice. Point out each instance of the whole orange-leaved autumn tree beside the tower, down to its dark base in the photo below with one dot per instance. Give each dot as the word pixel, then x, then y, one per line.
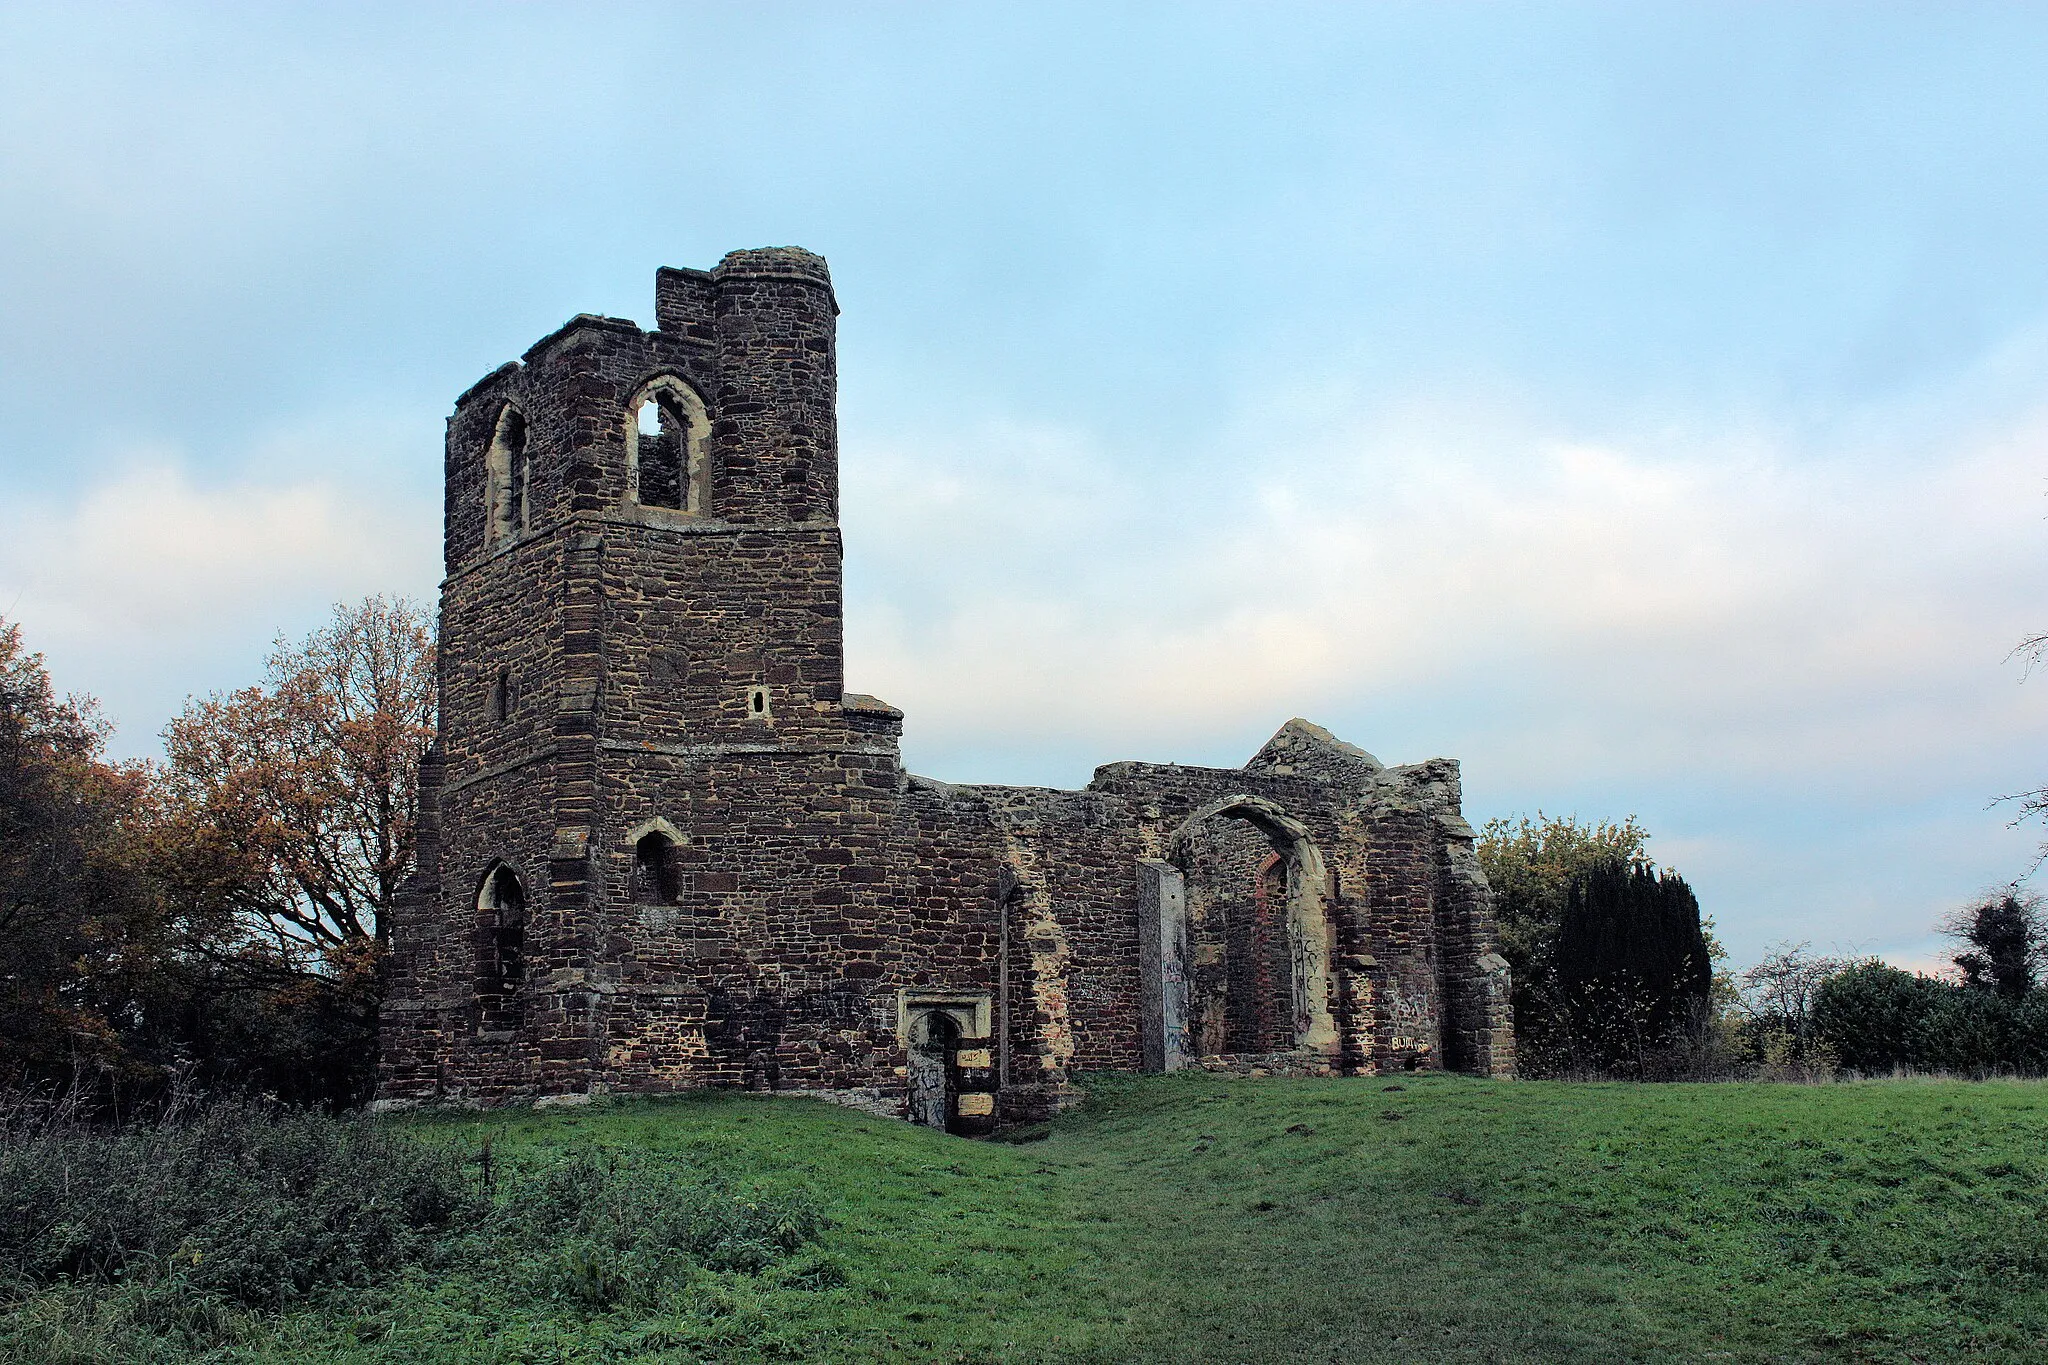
pixel 286 828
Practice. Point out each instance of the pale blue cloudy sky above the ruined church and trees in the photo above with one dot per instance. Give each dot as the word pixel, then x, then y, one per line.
pixel 1644 404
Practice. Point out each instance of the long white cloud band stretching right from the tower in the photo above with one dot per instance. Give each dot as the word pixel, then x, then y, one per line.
pixel 1756 609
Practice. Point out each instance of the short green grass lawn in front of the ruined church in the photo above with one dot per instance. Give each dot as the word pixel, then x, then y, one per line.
pixel 1201 1219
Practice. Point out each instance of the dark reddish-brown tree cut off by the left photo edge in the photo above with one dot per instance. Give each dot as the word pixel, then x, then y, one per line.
pixel 79 928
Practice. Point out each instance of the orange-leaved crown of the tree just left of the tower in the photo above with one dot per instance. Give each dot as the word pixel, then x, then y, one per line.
pixel 292 805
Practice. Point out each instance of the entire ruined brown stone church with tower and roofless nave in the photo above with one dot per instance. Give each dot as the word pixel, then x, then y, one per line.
pixel 663 846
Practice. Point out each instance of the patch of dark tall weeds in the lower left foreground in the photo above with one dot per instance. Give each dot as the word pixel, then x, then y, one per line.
pixel 177 1235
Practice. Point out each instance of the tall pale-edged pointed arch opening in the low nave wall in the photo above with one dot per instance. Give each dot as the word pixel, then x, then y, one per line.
pixel 1244 969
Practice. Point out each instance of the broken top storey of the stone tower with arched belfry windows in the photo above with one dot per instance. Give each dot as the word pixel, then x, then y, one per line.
pixel 724 412
